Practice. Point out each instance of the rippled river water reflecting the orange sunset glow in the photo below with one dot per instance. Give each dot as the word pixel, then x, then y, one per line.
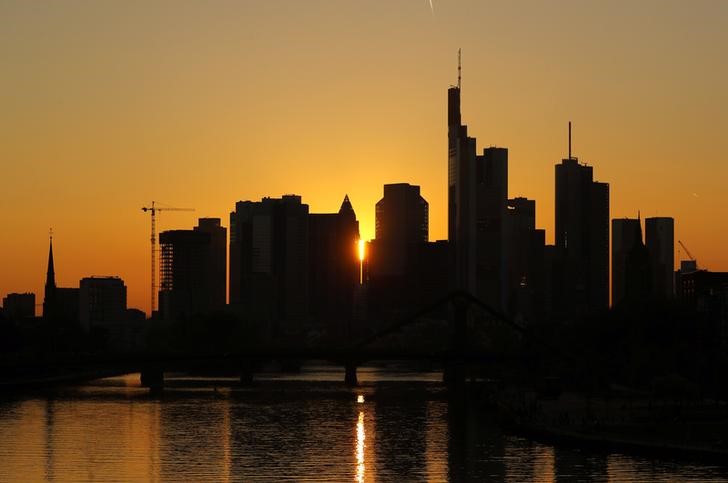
pixel 289 430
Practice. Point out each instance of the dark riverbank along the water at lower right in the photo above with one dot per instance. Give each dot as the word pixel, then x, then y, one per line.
pixel 696 431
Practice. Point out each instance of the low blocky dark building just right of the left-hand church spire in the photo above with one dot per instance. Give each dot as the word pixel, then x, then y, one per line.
pixel 102 302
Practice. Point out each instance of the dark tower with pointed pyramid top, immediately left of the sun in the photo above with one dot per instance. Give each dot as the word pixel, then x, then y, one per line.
pixel 333 267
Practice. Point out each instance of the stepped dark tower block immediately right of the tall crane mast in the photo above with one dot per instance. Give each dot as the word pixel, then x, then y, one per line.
pixel 191 268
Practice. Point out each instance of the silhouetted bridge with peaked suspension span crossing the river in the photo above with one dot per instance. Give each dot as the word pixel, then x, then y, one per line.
pixel 459 352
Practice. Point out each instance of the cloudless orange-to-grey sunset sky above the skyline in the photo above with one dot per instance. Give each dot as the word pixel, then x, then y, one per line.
pixel 107 105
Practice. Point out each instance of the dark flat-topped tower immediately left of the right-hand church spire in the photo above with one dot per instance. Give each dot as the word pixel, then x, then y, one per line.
pixel 626 237
